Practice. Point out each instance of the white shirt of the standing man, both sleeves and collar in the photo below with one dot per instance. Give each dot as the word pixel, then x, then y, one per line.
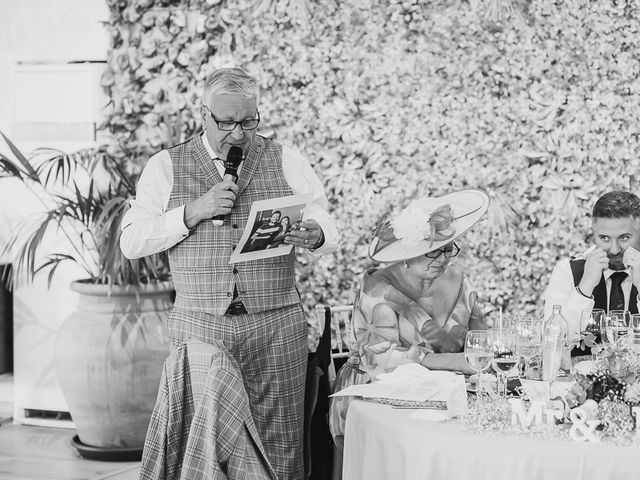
pixel 148 227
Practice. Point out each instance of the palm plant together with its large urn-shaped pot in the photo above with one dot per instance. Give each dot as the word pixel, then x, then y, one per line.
pixel 109 352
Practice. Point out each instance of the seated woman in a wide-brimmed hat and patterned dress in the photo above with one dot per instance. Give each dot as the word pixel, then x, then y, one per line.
pixel 418 308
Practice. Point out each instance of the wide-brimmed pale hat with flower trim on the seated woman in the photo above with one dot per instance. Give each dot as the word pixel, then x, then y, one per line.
pixel 427 225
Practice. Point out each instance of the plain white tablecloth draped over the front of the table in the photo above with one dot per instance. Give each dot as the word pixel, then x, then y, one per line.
pixel 382 443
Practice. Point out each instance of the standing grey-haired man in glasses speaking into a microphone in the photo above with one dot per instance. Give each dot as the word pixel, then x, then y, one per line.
pixel 252 307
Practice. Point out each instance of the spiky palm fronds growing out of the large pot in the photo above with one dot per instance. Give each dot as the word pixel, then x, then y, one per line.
pixel 86 211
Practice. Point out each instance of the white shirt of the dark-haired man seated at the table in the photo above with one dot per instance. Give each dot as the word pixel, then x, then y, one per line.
pixel 562 291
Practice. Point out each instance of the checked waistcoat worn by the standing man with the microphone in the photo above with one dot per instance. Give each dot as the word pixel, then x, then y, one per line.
pixel 203 279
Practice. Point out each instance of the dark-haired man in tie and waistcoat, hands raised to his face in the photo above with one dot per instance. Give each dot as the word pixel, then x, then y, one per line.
pixel 607 275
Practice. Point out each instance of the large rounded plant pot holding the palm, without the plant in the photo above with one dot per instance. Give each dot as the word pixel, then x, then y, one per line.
pixel 108 357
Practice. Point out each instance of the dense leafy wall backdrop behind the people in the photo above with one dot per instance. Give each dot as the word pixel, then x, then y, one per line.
pixel 536 101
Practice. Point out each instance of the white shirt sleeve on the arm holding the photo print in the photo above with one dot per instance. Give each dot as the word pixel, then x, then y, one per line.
pixel 302 179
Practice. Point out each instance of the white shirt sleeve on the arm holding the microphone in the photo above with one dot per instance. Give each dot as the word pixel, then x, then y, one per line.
pixel 148 227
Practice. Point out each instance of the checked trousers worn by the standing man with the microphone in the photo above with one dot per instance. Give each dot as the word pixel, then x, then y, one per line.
pixel 271 350
